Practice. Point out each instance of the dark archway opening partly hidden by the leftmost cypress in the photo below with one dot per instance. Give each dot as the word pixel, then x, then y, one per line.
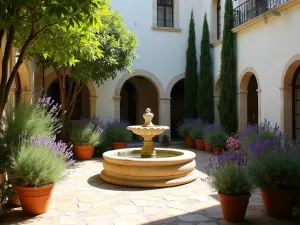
pixel 177 106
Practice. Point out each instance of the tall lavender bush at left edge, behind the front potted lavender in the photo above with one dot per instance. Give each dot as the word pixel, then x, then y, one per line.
pixel 37 118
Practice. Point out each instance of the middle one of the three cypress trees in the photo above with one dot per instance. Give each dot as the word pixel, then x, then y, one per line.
pixel 205 101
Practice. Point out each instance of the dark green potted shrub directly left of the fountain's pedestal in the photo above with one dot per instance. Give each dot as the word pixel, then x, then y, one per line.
pixel 118 134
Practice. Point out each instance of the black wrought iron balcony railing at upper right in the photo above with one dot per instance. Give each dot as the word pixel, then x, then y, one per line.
pixel 253 8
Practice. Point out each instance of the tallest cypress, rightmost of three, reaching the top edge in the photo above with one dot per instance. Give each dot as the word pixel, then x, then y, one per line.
pixel 228 79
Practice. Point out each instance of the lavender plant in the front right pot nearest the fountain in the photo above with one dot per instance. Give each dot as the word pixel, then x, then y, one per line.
pixel 229 174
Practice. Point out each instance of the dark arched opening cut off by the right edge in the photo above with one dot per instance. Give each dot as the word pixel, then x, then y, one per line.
pixel 296 104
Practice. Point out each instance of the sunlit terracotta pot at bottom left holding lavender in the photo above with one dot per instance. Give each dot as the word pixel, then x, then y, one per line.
pixel 35 200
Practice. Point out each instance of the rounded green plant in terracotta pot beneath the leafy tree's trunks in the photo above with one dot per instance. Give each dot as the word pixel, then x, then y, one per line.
pixel 86 134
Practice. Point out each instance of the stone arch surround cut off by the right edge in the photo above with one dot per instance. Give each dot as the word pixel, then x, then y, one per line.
pixel 286 94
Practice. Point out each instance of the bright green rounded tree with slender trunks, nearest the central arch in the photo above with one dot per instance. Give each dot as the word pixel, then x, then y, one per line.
pixel 108 51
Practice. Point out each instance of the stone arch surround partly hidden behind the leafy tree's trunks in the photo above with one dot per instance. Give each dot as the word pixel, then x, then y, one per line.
pixel 51 77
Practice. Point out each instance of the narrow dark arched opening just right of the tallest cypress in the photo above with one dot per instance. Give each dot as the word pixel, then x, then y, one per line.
pixel 252 101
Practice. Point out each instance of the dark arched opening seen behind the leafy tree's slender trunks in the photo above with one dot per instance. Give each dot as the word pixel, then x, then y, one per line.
pixel 82 106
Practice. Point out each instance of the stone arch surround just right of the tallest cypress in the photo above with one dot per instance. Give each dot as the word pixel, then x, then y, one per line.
pixel 245 77
